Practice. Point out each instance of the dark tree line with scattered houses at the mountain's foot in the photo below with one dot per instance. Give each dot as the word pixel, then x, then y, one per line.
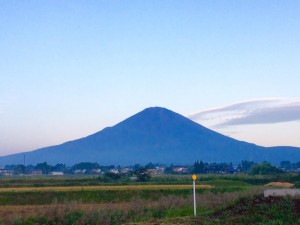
pixel 200 167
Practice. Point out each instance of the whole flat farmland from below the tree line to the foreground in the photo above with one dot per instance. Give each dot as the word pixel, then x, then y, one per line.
pixel 221 199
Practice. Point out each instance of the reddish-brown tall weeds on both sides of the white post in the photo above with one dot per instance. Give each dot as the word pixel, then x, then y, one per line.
pixel 135 210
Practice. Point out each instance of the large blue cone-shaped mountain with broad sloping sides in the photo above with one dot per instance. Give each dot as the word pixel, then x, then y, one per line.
pixel 154 135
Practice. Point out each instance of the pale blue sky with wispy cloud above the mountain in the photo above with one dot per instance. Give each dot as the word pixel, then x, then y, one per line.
pixel 70 68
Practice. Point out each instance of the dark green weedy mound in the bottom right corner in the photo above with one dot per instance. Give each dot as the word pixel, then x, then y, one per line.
pixel 260 210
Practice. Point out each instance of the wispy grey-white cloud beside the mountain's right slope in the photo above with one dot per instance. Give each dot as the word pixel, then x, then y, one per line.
pixel 258 111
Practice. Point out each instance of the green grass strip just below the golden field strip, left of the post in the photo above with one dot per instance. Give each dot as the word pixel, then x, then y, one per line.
pixel 85 196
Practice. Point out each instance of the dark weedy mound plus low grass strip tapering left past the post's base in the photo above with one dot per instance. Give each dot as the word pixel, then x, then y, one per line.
pixel 246 210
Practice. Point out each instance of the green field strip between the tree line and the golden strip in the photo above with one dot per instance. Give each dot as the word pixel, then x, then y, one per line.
pixel 88 180
